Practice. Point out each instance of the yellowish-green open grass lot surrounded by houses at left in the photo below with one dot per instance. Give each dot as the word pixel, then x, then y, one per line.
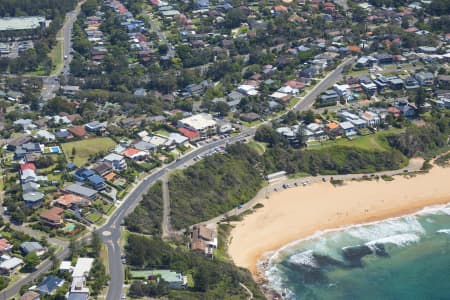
pixel 85 148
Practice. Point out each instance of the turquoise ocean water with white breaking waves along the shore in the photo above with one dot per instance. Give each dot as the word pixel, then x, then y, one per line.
pixel 395 259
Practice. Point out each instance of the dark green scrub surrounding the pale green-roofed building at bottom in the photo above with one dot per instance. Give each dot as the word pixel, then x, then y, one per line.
pixel 213 279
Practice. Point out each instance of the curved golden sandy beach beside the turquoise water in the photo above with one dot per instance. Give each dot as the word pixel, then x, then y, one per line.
pixel 294 213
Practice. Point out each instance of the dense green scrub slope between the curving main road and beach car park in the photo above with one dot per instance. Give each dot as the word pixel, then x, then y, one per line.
pixel 215 185
